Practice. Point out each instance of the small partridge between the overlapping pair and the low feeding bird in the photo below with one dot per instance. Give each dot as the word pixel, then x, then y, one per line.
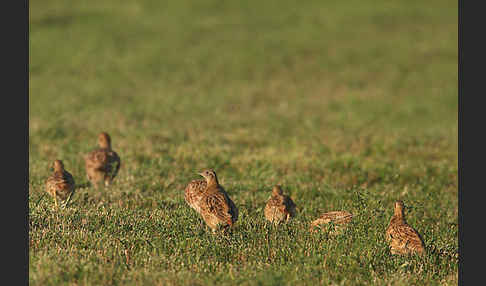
pixel 279 207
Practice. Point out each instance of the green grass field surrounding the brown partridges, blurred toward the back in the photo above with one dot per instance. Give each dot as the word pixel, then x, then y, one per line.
pixel 347 104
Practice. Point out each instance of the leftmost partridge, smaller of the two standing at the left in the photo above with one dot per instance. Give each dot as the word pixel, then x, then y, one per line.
pixel 60 185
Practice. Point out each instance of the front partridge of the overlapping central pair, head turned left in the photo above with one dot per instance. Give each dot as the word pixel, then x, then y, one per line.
pixel 216 207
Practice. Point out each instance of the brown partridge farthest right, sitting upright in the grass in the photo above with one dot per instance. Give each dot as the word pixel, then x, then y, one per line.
pixel 403 239
